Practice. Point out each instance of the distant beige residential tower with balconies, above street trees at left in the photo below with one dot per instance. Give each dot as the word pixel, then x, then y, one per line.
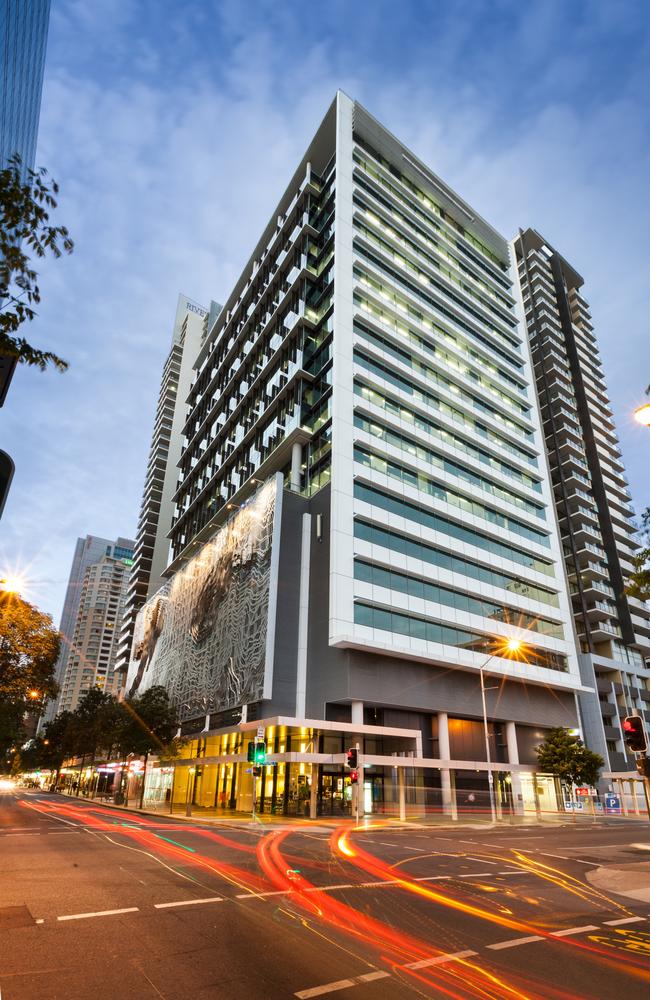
pixel 86 602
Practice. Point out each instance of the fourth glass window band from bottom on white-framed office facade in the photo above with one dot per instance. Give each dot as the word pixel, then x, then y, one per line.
pixel 436 522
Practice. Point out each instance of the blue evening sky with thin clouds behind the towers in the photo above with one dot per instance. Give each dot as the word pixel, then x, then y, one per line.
pixel 173 128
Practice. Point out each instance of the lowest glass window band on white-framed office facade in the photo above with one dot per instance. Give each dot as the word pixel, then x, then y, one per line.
pixel 421 628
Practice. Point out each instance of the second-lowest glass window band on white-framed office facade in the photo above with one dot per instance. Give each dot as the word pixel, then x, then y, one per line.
pixel 414 586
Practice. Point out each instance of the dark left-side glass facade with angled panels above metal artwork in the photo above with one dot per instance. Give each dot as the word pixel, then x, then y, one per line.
pixel 266 369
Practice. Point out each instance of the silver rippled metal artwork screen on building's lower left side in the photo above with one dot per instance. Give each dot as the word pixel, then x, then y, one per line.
pixel 203 635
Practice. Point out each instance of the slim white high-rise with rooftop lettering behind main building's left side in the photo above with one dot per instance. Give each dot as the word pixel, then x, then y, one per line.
pixel 152 541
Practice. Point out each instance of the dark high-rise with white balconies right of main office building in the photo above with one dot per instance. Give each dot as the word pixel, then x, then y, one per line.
pixel 591 496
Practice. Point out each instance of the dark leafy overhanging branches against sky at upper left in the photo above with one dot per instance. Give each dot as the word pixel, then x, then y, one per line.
pixel 25 204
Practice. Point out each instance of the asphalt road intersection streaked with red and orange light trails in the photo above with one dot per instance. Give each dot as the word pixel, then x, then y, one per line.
pixel 100 904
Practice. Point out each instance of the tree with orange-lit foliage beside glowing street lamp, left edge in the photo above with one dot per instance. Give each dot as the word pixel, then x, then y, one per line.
pixel 29 649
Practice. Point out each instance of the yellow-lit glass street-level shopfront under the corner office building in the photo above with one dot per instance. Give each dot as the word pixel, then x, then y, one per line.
pixel 305 775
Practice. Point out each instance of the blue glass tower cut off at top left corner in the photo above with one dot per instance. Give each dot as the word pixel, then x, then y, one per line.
pixel 23 40
